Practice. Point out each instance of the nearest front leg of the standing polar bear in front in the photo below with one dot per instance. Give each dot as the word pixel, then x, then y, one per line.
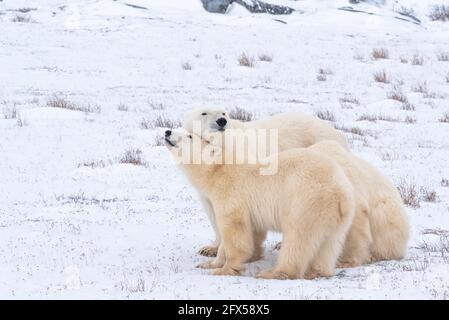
pixel 237 240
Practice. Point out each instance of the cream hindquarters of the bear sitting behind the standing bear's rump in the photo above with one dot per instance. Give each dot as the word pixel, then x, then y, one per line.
pixel 380 229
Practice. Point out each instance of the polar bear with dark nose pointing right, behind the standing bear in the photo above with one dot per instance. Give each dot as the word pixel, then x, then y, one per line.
pixel 295 130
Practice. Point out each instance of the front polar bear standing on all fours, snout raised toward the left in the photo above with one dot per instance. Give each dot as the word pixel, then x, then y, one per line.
pixel 310 200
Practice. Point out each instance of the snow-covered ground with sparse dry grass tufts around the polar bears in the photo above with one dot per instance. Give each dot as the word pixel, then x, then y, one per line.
pixel 77 222
